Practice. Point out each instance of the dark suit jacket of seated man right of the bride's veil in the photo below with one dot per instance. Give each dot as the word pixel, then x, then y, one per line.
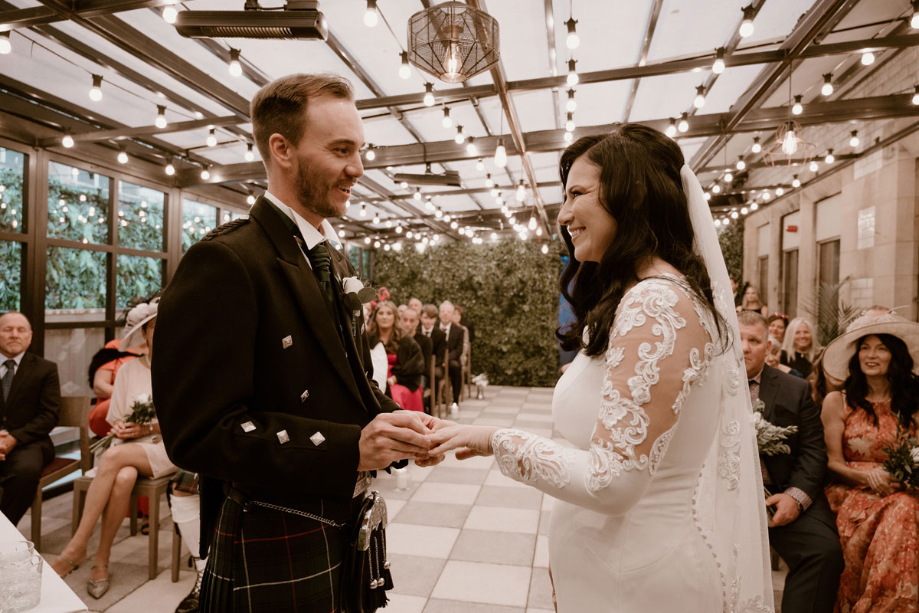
pixel 787 402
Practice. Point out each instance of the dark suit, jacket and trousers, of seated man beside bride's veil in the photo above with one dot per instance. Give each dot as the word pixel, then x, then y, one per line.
pixel 809 545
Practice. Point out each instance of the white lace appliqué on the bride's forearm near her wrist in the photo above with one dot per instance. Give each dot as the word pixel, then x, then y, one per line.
pixel 529 458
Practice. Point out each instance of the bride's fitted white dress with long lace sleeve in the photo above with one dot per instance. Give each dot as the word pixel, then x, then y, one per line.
pixel 624 536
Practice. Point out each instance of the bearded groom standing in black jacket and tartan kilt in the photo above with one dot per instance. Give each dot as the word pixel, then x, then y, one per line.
pixel 260 378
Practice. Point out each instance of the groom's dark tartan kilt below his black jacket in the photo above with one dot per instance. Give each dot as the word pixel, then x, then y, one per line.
pixel 268 560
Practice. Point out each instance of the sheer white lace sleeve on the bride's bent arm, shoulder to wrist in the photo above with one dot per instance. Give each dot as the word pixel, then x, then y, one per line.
pixel 657 349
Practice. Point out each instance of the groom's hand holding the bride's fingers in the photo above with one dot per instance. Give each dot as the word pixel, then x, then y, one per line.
pixel 391 437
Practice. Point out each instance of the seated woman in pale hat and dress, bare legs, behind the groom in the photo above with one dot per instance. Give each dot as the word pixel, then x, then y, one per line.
pixel 138 450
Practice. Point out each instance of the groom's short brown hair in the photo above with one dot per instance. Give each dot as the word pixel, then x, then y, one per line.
pixel 280 106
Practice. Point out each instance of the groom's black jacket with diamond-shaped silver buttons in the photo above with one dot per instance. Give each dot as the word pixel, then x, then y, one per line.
pixel 244 338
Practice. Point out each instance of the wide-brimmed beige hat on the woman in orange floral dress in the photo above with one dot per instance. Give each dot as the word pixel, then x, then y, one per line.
pixel 838 353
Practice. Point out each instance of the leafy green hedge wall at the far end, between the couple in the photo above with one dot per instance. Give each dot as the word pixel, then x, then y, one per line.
pixel 510 293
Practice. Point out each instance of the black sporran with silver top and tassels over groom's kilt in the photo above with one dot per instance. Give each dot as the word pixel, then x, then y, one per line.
pixel 365 576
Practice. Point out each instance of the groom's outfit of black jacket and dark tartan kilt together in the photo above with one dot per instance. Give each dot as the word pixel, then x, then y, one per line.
pixel 260 387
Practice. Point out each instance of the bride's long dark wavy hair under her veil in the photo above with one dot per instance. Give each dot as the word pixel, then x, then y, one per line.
pixel 641 188
